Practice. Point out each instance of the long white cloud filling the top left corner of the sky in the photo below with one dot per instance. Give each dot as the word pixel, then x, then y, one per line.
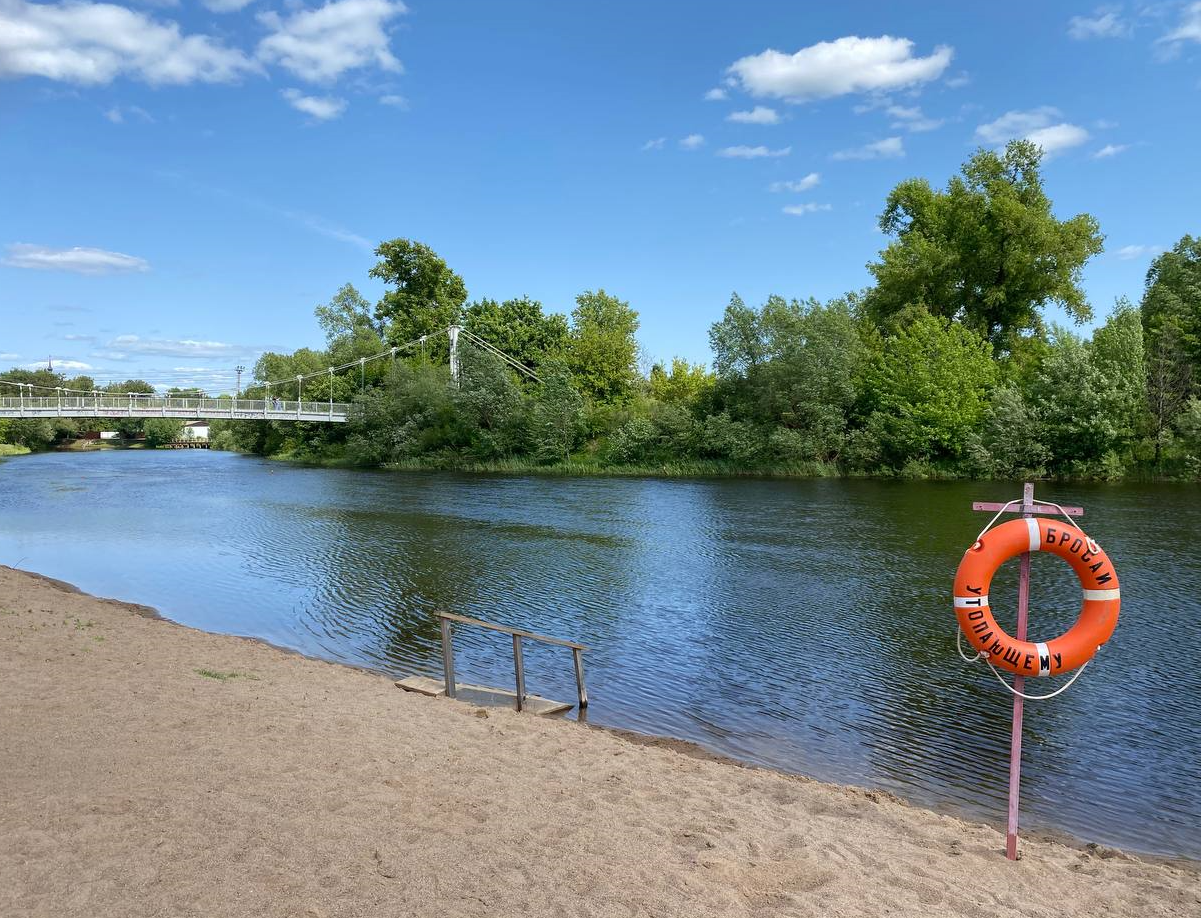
pixel 94 44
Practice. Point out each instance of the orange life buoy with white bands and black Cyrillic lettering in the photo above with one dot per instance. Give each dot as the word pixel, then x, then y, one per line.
pixel 1074 648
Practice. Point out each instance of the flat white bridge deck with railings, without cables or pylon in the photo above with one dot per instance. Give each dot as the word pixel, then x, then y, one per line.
pixel 133 406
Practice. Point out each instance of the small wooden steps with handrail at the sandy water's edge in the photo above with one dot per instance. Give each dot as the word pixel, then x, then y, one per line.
pixel 487 695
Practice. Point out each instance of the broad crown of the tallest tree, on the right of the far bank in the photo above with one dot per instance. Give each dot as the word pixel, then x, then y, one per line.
pixel 987 252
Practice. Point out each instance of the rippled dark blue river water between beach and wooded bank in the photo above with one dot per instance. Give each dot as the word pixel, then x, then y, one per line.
pixel 804 625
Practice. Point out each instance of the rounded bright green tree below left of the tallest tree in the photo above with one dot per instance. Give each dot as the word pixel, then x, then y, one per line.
pixel 928 389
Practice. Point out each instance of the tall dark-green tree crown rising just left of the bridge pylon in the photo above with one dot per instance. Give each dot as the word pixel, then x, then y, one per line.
pixel 428 296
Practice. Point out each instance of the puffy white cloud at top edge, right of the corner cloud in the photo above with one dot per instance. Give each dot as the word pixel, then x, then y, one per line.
pixel 321 45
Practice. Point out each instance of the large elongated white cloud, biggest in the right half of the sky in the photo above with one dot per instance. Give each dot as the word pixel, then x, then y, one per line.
pixel 835 69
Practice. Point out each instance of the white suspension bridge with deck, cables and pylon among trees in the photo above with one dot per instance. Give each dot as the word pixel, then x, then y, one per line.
pixel 44 402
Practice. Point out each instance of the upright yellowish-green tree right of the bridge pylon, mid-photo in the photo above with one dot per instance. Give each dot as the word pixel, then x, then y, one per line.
pixel 604 351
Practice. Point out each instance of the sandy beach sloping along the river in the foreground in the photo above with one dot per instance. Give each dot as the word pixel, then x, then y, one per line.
pixel 134 784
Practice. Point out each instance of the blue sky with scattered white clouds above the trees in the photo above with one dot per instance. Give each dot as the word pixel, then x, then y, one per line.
pixel 182 183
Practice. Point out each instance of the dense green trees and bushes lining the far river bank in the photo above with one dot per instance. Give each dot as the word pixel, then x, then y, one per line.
pixel 943 368
